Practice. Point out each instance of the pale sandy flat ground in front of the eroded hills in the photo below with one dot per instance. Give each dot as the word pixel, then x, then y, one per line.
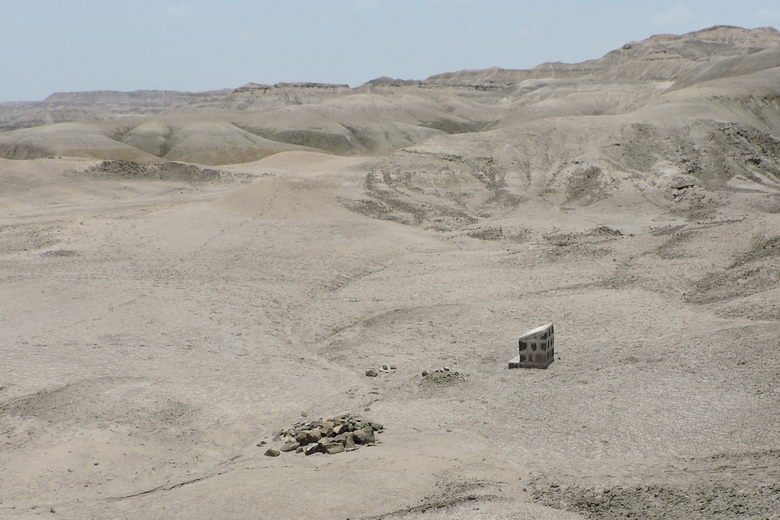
pixel 154 332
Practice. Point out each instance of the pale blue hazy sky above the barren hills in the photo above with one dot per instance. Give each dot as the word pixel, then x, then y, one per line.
pixel 195 45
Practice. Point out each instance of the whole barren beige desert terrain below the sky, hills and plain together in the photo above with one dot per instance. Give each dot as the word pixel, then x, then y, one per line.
pixel 188 281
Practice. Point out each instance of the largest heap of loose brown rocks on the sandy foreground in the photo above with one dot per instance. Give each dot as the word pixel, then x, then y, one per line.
pixel 330 436
